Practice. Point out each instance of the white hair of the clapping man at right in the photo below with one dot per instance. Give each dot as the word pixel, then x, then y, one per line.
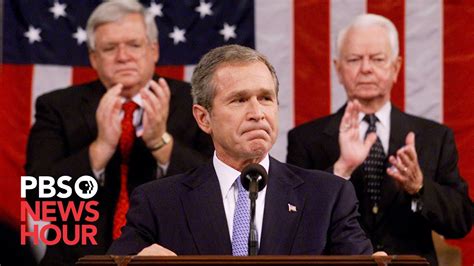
pixel 366 20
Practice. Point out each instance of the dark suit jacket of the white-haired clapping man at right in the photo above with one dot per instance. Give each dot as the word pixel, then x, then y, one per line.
pixel 396 229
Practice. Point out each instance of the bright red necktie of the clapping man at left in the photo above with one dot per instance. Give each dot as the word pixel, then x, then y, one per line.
pixel 126 142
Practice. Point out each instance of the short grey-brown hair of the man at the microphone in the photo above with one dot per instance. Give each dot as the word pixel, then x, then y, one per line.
pixel 203 87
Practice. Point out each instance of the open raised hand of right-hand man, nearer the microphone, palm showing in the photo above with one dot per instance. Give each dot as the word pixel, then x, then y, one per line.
pixel 353 150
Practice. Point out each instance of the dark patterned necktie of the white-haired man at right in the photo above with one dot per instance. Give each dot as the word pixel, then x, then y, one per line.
pixel 374 166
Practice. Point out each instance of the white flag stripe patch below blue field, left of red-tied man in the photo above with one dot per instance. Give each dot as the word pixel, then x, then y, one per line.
pixel 47 78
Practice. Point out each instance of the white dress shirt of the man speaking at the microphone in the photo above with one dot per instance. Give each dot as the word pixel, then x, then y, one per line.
pixel 227 176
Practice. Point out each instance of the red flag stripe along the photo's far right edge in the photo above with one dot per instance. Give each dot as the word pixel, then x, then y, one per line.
pixel 458 96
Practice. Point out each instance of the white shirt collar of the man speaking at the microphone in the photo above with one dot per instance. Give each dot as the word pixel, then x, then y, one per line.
pixel 227 175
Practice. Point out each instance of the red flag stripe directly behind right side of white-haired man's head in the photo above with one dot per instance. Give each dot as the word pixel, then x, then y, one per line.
pixel 395 11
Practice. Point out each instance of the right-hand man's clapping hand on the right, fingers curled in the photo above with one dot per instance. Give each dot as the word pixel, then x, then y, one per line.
pixel 405 167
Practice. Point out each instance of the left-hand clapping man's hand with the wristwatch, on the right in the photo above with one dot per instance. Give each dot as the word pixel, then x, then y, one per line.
pixel 156 105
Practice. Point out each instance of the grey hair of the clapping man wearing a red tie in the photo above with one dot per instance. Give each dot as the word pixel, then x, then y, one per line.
pixel 115 10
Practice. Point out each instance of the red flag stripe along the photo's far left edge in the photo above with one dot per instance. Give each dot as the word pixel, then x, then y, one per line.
pixel 15 102
